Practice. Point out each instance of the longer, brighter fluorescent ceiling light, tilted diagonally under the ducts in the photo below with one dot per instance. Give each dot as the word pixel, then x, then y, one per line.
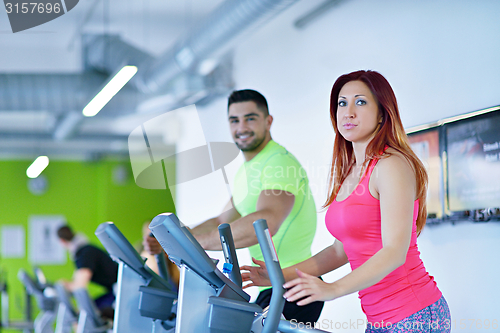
pixel 111 89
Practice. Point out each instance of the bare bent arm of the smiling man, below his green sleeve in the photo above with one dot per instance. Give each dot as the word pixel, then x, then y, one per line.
pixel 272 205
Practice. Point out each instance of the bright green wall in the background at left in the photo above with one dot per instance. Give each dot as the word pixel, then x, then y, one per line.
pixel 87 195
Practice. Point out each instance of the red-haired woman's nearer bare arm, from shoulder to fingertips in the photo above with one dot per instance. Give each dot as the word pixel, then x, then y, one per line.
pixel 396 186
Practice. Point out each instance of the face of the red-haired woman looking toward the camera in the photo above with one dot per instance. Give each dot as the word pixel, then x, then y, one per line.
pixel 358 116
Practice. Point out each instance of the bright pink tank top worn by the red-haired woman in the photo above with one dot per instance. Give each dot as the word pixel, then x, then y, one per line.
pixel 355 222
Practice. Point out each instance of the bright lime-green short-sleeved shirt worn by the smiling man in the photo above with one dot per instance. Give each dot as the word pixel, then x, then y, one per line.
pixel 274 168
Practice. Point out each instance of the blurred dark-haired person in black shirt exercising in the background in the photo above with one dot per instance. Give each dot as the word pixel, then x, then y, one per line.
pixel 93 265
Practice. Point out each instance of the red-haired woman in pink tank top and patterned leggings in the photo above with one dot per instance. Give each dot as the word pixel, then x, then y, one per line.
pixel 376 210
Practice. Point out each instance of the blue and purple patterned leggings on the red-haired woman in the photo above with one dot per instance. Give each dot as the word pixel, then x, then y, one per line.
pixel 433 319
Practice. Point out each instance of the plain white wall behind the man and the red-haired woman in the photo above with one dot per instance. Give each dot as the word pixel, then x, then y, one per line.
pixel 441 58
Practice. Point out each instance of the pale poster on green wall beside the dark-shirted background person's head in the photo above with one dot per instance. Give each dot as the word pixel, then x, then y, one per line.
pixel 44 246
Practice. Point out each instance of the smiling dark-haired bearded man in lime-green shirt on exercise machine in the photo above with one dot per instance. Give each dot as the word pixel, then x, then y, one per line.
pixel 278 191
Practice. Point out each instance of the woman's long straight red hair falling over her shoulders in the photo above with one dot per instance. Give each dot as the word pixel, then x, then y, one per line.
pixel 391 133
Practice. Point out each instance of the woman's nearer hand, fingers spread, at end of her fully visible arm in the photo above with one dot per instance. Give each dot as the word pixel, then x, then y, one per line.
pixel 309 289
